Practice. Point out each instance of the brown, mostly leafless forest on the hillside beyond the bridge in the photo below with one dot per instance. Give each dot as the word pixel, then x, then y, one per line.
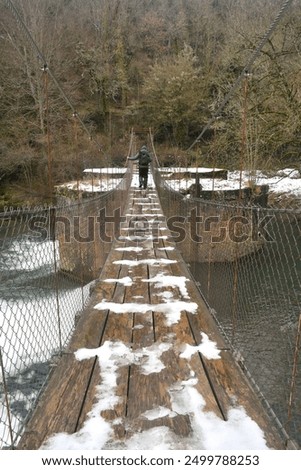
pixel 114 65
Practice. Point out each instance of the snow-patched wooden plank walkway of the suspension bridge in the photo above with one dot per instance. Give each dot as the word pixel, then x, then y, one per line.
pixel 137 358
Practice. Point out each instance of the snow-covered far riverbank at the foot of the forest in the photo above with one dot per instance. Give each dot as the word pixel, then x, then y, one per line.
pixel 284 185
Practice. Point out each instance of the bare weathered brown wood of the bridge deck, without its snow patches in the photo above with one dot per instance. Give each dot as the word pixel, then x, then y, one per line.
pixel 72 389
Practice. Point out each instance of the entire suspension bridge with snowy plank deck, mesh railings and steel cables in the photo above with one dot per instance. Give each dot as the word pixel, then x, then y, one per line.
pixel 152 351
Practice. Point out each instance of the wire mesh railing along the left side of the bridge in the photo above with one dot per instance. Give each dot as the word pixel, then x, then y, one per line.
pixel 49 258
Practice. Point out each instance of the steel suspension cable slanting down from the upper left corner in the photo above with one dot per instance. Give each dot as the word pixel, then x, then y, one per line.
pixel 47 69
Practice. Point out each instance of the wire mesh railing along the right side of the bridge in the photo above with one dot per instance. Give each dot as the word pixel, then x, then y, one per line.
pixel 246 261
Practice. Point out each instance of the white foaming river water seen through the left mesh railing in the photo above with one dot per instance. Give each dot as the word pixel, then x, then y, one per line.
pixel 38 307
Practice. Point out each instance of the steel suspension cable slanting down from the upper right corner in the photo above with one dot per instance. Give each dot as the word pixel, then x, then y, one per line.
pixel 246 70
